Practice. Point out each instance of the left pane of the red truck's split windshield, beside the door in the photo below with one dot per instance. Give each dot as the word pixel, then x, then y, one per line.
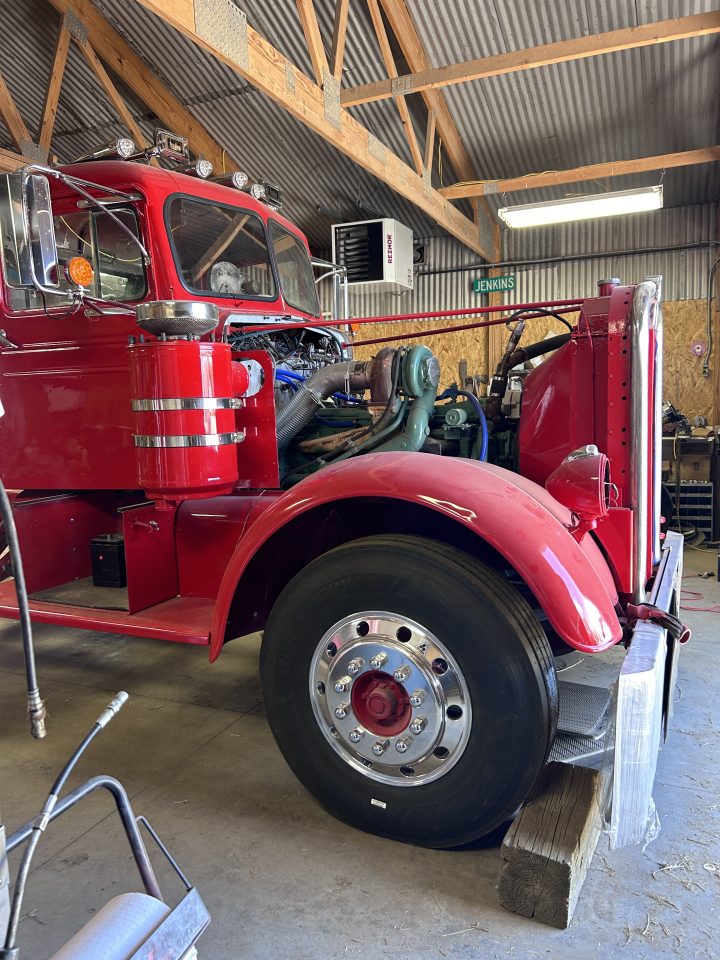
pixel 220 250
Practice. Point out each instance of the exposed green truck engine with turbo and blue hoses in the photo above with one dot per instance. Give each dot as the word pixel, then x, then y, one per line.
pixel 330 407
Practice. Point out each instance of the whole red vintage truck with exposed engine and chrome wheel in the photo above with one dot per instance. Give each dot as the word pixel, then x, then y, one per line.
pixel 196 457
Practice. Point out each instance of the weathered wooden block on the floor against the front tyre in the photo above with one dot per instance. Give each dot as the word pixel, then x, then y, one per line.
pixel 547 850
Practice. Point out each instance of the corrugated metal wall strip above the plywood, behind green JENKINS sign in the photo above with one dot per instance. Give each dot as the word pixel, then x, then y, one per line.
pixel 684 271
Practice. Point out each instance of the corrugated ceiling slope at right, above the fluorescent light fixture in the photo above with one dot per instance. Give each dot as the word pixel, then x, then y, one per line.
pixel 636 103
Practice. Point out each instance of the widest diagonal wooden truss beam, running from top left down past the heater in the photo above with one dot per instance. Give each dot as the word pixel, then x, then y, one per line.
pixel 260 64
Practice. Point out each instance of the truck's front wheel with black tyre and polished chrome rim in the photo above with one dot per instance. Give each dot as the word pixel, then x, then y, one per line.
pixel 410 688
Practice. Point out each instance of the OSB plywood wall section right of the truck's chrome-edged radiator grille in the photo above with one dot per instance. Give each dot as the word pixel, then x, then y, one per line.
pixel 684 322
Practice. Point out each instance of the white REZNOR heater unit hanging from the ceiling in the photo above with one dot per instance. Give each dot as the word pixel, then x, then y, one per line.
pixel 377 253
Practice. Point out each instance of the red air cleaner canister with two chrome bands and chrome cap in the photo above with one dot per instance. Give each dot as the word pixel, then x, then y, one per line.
pixel 184 404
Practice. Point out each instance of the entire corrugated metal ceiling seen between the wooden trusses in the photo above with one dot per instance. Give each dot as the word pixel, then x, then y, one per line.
pixel 624 105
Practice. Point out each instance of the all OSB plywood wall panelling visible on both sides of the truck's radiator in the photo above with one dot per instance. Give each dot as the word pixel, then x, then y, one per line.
pixel 684 322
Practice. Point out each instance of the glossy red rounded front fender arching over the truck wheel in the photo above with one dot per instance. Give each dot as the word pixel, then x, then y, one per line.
pixel 516 516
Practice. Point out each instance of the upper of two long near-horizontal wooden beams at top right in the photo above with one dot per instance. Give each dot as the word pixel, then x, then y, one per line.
pixel 628 38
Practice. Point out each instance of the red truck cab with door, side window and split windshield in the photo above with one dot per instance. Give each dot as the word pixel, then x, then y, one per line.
pixel 69 377
